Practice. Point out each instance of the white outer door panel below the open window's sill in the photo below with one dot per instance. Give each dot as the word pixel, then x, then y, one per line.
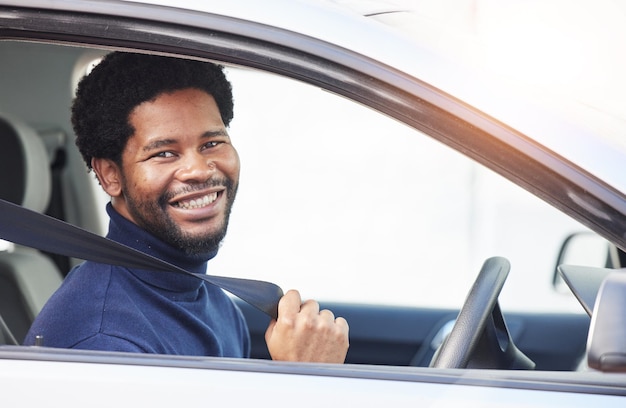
pixel 163 380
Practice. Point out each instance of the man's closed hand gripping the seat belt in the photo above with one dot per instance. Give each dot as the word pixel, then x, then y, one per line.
pixel 304 333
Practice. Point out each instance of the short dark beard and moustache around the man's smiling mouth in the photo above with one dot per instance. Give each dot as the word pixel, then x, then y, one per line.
pixel 153 217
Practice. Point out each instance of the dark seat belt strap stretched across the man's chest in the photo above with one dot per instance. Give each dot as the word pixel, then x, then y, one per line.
pixel 30 228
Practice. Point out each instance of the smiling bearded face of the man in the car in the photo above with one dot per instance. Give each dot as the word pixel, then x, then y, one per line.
pixel 179 172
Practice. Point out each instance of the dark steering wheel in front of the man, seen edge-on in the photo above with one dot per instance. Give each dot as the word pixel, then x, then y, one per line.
pixel 479 337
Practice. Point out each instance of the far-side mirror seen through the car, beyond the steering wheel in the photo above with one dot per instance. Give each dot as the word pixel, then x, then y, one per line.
pixel 585 249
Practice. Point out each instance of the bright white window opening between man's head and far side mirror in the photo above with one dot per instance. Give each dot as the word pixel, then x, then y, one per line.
pixel 353 206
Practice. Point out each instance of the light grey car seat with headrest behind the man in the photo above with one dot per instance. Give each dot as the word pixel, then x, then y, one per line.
pixel 27 276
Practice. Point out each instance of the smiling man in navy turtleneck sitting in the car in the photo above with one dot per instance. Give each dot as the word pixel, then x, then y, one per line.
pixel 154 131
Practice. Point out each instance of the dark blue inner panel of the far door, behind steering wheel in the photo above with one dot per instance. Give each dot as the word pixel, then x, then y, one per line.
pixel 403 336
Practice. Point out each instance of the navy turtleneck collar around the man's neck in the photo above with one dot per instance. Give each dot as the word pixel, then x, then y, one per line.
pixel 128 233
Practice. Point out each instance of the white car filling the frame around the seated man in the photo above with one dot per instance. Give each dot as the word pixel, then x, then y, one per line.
pixel 389 153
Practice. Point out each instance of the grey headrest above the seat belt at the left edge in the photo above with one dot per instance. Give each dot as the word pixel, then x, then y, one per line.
pixel 25 177
